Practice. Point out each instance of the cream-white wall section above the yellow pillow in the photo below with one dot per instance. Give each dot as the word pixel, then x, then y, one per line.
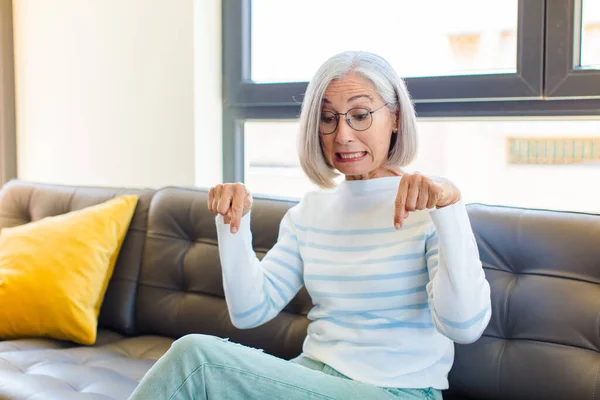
pixel 105 91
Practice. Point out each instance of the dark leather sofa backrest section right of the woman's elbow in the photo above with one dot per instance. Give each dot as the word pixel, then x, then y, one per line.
pixel 543 340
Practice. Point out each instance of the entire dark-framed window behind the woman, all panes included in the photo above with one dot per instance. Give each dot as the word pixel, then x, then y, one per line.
pixel 513 83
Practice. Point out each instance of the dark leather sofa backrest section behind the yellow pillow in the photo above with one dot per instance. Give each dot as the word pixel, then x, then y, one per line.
pixel 22 202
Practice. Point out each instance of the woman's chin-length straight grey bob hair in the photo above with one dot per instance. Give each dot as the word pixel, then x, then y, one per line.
pixel 390 87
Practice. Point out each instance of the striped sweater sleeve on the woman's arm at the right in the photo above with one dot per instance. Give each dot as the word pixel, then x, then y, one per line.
pixel 459 294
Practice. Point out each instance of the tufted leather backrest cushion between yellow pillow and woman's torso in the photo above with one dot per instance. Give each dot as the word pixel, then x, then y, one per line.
pixel 181 289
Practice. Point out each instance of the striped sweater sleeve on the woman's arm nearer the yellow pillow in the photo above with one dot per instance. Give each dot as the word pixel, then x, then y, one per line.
pixel 256 291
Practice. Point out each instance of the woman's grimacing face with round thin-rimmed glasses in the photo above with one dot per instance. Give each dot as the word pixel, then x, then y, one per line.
pixel 356 154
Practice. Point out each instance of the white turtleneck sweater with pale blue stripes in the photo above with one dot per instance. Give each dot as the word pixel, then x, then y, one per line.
pixel 387 304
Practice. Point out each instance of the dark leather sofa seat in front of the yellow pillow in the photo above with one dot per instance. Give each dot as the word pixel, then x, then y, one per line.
pixel 111 370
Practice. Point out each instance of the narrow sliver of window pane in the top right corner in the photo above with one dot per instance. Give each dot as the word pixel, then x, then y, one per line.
pixel 590 34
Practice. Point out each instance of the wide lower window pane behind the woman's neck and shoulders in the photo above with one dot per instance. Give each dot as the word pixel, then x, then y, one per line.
pixel 550 164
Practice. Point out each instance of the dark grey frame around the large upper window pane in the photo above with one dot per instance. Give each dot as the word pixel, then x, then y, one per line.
pixel 525 83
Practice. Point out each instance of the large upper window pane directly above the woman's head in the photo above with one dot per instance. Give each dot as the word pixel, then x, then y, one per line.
pixel 291 39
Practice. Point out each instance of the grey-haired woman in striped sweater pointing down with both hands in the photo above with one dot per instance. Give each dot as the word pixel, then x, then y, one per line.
pixel 387 256
